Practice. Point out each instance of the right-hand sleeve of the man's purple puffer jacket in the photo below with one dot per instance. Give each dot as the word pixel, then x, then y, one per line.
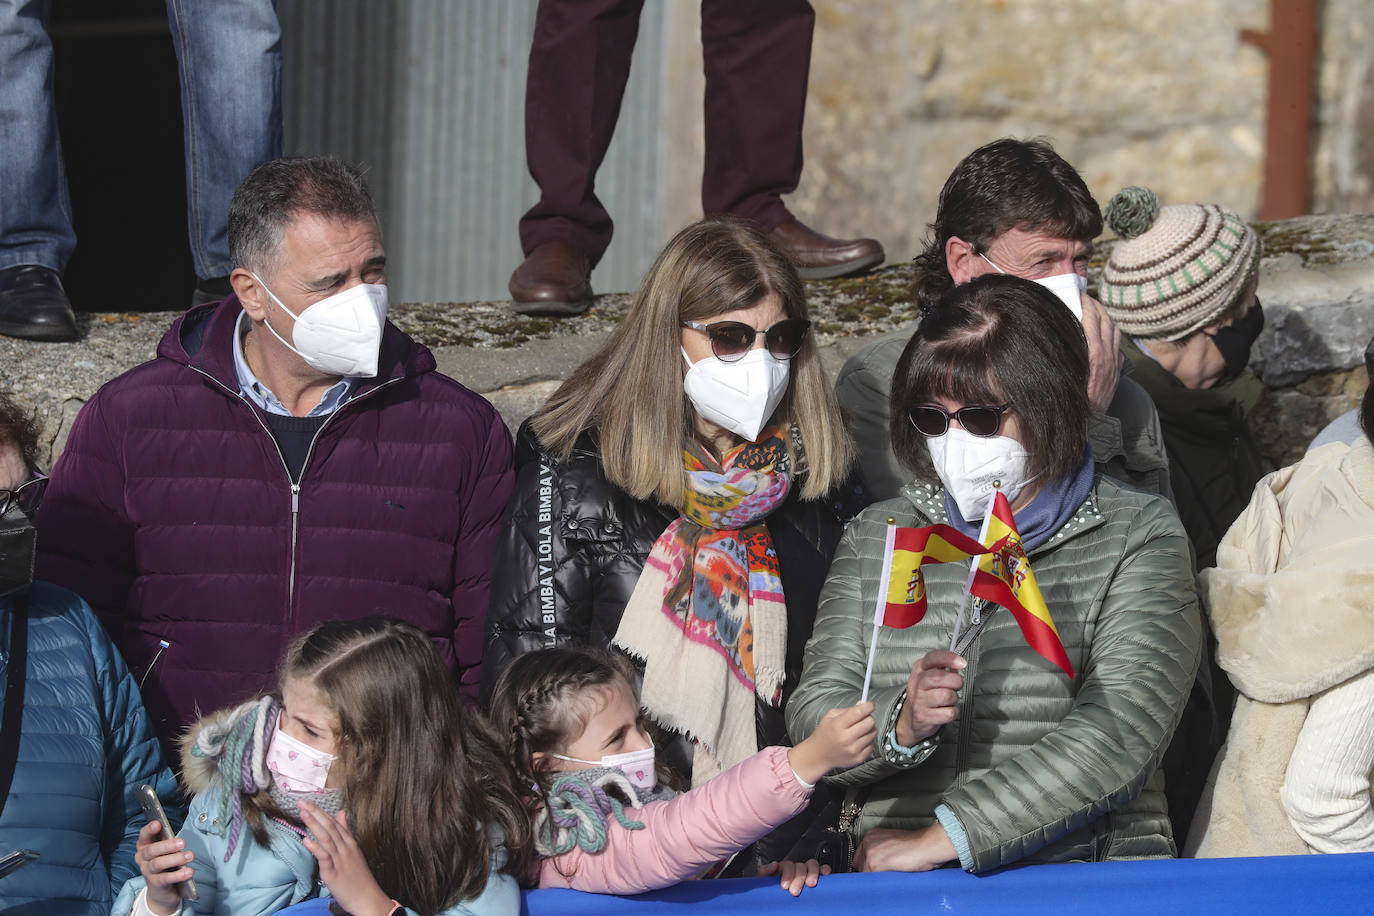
pixel 488 487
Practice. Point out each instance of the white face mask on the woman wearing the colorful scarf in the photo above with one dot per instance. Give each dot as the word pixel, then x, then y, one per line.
pixel 740 396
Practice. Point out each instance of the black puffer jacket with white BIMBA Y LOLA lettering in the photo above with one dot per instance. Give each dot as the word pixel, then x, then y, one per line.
pixel 574 546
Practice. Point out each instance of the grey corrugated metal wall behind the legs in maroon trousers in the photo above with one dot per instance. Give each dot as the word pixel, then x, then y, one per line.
pixel 431 97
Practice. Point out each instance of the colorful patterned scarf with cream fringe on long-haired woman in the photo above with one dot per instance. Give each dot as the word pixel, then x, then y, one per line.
pixel 708 616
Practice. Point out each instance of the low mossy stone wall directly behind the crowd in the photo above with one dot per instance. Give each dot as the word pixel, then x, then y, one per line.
pixel 1317 284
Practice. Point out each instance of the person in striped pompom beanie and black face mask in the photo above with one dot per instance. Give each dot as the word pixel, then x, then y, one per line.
pixel 1181 285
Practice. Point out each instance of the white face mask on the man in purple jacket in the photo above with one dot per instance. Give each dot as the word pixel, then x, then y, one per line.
pixel 341 334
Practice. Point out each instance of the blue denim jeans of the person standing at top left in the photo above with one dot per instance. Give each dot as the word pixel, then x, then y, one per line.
pixel 230 61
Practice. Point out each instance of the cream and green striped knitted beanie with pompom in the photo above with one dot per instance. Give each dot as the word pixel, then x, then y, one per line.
pixel 1175 270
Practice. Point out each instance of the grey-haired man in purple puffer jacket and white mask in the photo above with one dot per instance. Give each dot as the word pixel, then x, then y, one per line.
pixel 289 458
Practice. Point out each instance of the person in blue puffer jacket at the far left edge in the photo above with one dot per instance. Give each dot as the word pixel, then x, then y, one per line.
pixel 68 778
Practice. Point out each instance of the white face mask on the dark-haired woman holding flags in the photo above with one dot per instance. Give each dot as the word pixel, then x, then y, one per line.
pixel 972 468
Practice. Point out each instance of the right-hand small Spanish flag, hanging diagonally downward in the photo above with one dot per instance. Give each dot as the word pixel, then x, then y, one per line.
pixel 1005 579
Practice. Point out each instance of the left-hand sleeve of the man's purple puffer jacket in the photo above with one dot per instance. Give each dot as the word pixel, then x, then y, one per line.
pixel 86 540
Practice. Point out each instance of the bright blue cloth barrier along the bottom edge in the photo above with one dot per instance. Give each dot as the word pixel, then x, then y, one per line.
pixel 1279 885
